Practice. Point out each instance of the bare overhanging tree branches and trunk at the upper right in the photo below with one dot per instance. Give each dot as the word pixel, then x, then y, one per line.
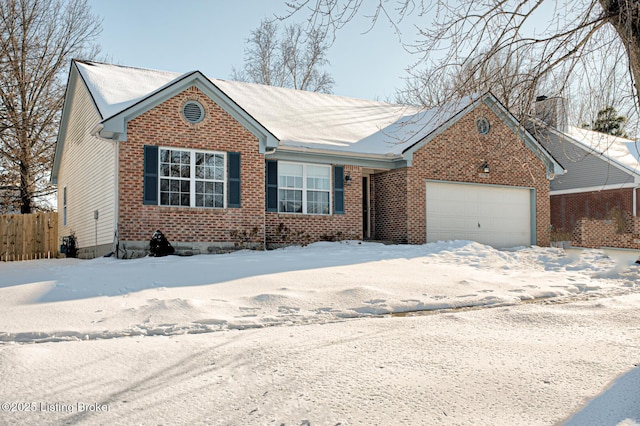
pixel 554 38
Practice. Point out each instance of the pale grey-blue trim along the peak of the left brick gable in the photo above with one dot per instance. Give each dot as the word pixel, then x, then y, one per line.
pixel 115 127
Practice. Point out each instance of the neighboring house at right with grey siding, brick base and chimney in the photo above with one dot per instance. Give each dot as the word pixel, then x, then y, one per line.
pixel 602 182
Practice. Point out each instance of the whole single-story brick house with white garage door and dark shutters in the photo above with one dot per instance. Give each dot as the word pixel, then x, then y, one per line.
pixel 219 164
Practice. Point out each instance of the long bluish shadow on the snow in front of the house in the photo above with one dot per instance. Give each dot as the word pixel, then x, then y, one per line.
pixel 71 279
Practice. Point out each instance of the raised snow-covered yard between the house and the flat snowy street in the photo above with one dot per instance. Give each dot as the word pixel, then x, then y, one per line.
pixel 72 299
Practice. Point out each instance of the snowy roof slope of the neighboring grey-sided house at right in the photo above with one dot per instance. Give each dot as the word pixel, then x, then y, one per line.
pixel 624 151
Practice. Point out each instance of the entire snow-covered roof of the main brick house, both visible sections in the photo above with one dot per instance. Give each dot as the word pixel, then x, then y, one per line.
pixel 296 118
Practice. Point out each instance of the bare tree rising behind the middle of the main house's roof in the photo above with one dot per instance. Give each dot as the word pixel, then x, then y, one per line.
pixel 294 61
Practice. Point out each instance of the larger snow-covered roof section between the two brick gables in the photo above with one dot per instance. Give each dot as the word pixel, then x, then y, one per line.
pixel 320 121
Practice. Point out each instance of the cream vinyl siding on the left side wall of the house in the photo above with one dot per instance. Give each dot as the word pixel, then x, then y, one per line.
pixel 88 188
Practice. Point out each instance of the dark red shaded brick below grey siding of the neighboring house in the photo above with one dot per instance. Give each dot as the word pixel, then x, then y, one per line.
pixel 567 209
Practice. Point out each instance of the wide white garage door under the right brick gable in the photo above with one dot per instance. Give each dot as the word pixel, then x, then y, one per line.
pixel 494 215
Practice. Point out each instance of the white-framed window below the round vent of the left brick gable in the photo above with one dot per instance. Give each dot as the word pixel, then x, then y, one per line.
pixel 192 178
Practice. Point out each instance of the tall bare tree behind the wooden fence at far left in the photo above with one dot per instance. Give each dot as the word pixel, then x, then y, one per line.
pixel 38 40
